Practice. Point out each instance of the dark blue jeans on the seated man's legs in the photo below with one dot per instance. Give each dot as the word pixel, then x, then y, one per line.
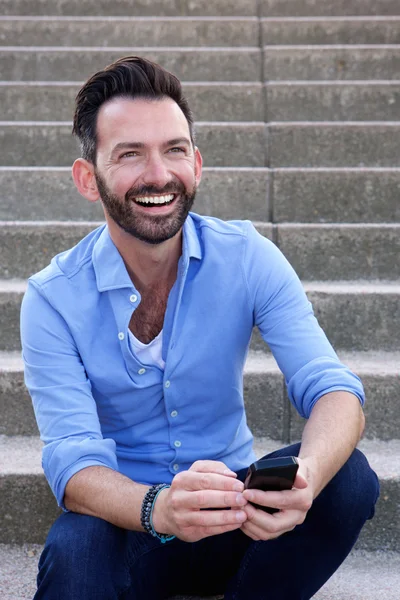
pixel 86 558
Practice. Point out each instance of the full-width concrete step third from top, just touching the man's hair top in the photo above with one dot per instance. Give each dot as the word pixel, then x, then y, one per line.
pixel 209 63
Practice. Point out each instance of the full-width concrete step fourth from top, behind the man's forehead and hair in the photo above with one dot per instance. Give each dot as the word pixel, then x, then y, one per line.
pixel 222 101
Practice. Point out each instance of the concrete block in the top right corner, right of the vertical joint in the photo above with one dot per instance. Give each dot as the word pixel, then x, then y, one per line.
pixel 305 8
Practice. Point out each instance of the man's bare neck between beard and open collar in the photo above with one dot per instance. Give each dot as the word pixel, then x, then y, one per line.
pixel 148 265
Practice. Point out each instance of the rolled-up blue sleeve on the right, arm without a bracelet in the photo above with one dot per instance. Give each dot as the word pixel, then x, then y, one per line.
pixel 287 323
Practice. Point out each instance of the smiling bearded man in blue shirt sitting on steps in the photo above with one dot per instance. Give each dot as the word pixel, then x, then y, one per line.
pixel 134 344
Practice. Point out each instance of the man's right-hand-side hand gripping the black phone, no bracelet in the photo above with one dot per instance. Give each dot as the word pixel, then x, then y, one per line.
pixel 293 506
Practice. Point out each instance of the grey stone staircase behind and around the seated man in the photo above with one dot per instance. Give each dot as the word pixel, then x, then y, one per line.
pixel 297 104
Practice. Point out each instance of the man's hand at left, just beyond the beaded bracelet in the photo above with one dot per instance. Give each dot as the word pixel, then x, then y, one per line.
pixel 208 484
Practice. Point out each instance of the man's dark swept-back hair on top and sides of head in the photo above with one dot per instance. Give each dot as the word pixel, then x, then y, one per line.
pixel 131 77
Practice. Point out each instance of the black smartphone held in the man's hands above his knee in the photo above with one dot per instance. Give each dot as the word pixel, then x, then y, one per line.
pixel 271 475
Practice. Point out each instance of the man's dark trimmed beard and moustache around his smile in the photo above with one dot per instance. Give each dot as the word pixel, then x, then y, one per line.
pixel 152 229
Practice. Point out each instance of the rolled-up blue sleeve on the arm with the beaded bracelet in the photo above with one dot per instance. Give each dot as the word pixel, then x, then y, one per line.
pixel 61 393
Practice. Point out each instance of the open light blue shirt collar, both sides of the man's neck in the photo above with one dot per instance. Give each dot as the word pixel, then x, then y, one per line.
pixel 110 269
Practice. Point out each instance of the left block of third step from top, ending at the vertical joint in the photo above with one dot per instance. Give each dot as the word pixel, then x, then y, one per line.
pixel 76 63
